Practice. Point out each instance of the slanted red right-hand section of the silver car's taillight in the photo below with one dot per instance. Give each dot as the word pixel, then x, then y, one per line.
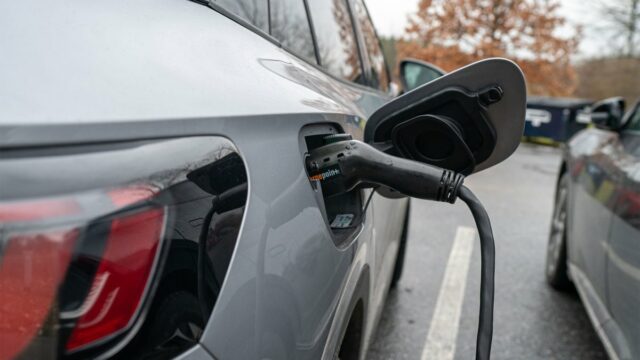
pixel 121 279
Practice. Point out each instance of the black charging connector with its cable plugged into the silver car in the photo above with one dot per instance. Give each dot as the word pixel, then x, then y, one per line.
pixel 344 164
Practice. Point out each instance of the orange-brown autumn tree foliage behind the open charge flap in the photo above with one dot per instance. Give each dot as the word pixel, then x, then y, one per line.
pixel 454 33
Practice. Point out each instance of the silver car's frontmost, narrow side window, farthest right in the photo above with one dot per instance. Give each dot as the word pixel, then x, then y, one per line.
pixel 379 74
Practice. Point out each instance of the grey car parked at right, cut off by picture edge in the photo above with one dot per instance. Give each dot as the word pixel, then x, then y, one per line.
pixel 594 241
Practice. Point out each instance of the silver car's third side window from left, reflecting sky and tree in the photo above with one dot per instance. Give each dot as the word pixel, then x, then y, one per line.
pixel 336 41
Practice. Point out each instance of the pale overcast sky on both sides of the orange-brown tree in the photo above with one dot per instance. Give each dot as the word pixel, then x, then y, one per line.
pixel 390 17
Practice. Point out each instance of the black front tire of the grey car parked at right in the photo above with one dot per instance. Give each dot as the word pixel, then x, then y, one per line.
pixel 556 262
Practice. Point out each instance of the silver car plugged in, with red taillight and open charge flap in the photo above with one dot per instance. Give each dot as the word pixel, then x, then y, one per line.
pixel 154 198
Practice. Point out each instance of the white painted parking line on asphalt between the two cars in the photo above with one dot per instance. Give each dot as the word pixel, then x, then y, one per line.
pixel 441 339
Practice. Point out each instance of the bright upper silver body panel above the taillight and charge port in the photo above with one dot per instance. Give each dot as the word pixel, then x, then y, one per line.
pixel 166 71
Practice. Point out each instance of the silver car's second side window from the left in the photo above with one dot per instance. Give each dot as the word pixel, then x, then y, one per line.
pixel 290 25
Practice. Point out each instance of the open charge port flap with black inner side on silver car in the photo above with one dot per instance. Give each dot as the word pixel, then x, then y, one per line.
pixel 466 120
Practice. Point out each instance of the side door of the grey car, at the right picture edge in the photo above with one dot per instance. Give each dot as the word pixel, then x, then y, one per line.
pixel 623 249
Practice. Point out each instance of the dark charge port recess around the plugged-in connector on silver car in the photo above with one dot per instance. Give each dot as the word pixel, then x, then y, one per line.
pixel 343 213
